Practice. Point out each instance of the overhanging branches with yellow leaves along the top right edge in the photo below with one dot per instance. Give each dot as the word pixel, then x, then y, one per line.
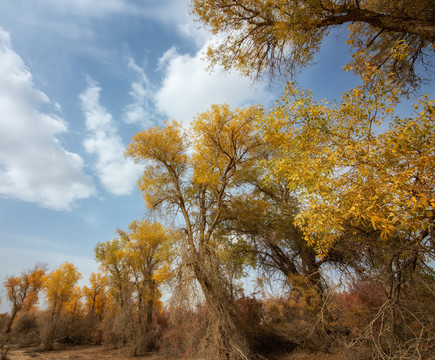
pixel 282 36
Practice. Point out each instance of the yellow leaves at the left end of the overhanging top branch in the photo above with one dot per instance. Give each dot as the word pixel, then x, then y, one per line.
pixel 259 35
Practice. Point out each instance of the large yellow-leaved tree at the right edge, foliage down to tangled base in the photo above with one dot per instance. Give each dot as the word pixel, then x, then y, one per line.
pixel 365 179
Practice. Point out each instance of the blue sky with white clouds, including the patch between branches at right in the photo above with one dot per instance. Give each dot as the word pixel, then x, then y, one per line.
pixel 78 78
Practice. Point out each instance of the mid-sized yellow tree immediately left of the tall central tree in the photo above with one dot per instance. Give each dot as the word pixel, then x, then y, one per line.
pixel 137 262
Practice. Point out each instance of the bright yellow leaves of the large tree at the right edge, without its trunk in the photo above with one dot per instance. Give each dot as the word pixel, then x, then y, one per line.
pixel 352 173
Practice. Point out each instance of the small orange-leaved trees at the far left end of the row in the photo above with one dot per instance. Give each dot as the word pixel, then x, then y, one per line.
pixel 62 295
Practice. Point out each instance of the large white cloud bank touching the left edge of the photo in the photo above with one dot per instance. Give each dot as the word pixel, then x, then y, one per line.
pixel 34 166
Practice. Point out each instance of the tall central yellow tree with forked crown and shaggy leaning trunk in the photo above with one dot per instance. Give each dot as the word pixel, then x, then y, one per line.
pixel 195 177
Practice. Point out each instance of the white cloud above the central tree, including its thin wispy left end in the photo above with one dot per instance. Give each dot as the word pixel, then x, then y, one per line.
pixel 186 89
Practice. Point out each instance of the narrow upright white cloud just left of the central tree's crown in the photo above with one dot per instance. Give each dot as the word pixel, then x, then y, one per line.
pixel 117 174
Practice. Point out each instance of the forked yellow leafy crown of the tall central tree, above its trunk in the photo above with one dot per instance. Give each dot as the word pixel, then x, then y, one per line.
pixel 192 172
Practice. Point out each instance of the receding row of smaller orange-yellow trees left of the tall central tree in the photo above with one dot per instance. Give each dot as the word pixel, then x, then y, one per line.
pixel 121 299
